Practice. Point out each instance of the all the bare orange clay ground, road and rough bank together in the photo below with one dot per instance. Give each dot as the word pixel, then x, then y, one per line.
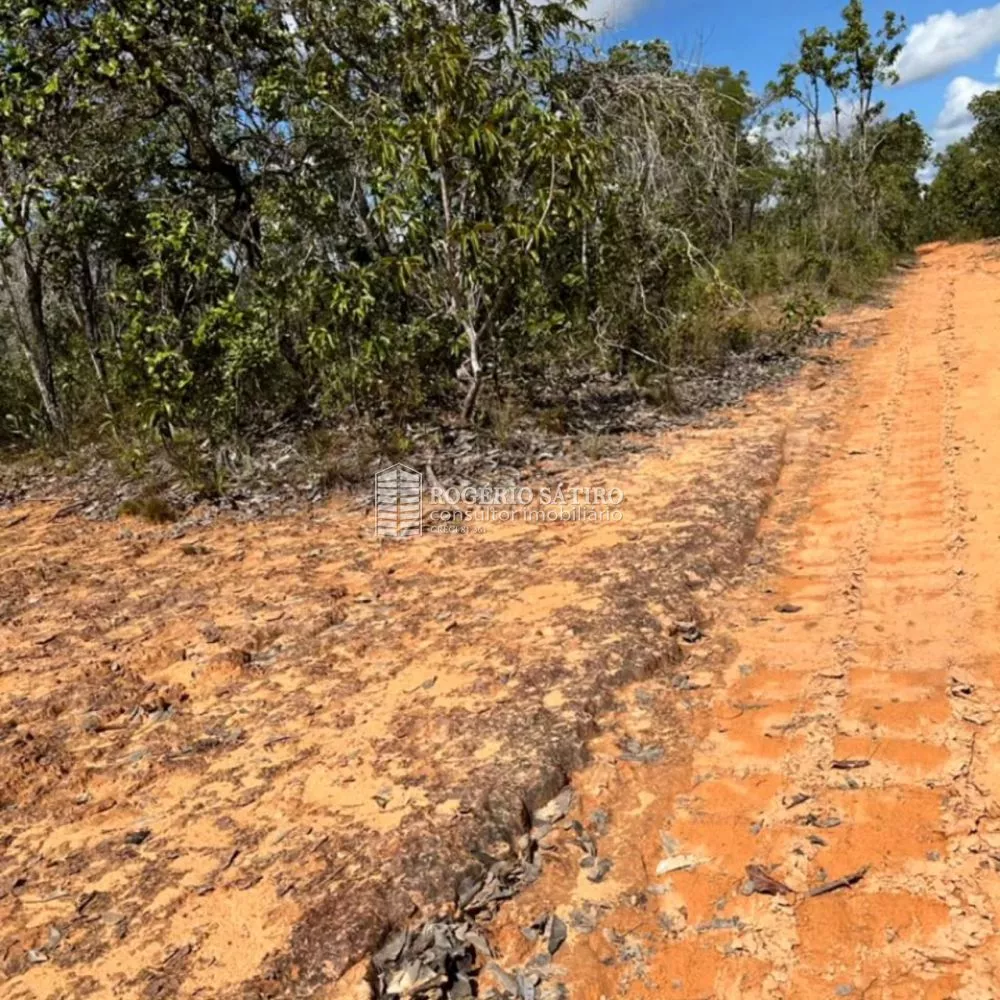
pixel 234 755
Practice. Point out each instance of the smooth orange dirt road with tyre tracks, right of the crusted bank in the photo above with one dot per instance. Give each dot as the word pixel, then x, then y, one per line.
pixel 856 736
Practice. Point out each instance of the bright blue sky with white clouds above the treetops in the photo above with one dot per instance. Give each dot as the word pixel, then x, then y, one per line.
pixel 950 53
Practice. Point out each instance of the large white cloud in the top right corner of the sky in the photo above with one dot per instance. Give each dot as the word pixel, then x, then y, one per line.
pixel 945 40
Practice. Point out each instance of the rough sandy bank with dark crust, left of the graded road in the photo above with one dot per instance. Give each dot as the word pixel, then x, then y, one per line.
pixel 234 755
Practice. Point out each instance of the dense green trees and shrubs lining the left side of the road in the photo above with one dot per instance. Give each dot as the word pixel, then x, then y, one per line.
pixel 220 214
